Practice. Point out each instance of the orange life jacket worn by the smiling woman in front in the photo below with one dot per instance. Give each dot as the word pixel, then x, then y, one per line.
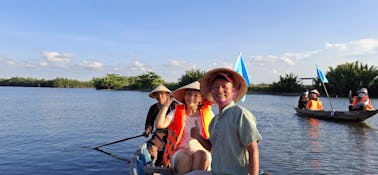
pixel 177 127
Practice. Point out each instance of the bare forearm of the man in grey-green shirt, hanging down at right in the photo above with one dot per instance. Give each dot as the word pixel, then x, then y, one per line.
pixel 254 163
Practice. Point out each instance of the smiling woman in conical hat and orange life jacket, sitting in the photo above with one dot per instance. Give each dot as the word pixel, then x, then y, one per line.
pixel 183 153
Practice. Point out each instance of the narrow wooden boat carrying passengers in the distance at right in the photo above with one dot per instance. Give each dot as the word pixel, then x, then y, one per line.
pixel 352 116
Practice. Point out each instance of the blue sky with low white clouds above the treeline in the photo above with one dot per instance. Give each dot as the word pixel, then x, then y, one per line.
pixel 82 39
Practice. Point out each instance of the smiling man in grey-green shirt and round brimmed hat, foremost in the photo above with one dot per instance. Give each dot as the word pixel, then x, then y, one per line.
pixel 234 135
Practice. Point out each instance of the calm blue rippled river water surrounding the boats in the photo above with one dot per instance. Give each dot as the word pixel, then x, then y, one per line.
pixel 53 131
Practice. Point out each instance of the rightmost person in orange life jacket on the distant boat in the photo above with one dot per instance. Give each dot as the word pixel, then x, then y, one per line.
pixel 361 101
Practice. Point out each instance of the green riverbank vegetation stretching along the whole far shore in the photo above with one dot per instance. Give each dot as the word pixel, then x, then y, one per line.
pixel 342 79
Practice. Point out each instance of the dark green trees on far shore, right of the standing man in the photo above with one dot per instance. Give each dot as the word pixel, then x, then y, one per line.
pixel 342 79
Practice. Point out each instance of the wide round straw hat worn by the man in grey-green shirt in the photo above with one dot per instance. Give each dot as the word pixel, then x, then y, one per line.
pixel 238 82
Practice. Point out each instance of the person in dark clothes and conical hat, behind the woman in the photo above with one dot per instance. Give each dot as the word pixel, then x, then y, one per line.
pixel 155 145
